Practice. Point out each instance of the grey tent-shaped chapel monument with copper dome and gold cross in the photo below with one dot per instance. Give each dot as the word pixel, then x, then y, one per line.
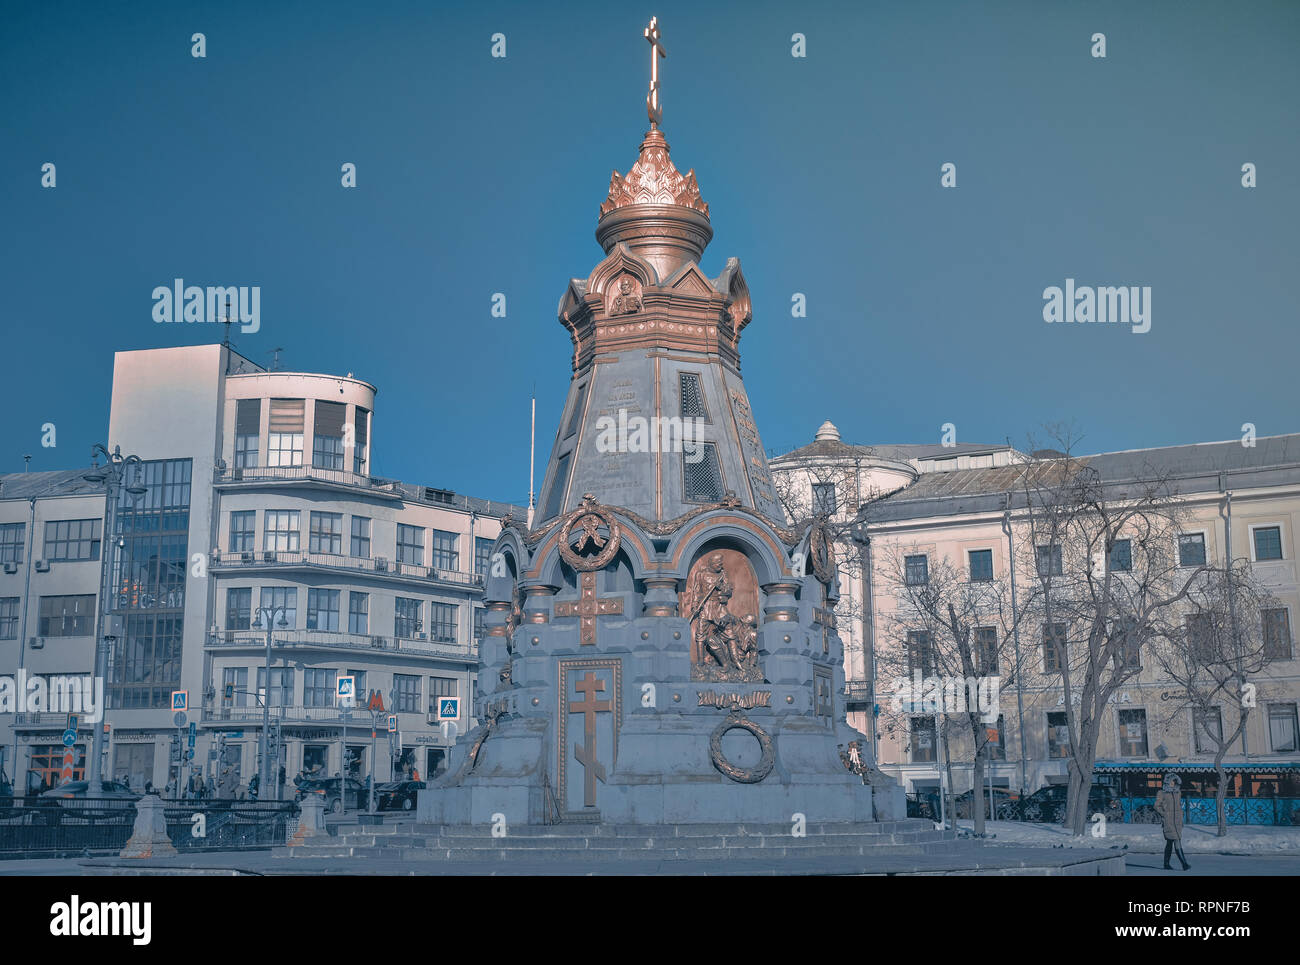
pixel 660 644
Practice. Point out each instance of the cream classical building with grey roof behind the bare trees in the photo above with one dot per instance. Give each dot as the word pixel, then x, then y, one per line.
pixel 948 512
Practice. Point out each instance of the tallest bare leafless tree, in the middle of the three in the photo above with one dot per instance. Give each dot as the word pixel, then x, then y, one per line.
pixel 1106 578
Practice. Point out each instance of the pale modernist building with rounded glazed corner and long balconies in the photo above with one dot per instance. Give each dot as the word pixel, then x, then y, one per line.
pixel 255 492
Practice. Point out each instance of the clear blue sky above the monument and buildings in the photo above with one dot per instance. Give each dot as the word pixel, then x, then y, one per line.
pixel 480 175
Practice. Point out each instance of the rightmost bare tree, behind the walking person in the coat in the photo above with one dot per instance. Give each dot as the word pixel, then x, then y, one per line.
pixel 1212 656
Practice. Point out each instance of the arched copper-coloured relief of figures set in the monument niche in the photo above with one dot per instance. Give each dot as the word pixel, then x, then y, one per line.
pixel 722 604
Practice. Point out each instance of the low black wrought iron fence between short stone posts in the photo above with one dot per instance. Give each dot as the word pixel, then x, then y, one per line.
pixel 51 826
